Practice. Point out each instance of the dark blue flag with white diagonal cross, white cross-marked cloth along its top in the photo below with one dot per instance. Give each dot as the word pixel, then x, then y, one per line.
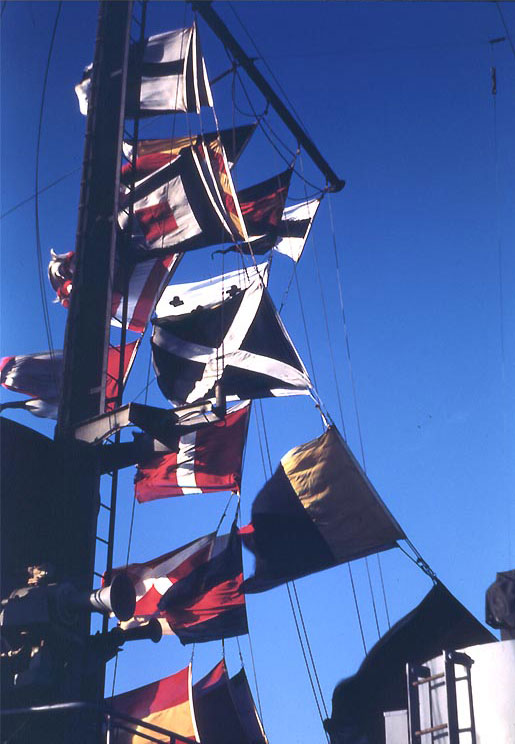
pixel 224 329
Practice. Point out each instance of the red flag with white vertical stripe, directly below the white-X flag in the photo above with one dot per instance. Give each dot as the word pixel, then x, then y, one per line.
pixel 207 460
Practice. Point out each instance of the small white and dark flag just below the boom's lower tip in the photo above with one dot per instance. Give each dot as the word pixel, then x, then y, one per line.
pixel 290 236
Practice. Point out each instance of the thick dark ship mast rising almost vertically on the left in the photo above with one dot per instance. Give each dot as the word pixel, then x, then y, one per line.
pixel 87 330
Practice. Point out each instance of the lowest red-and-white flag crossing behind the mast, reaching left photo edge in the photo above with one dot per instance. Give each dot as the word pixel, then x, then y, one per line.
pixel 40 376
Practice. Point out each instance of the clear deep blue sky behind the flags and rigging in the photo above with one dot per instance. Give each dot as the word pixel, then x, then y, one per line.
pixel 397 96
